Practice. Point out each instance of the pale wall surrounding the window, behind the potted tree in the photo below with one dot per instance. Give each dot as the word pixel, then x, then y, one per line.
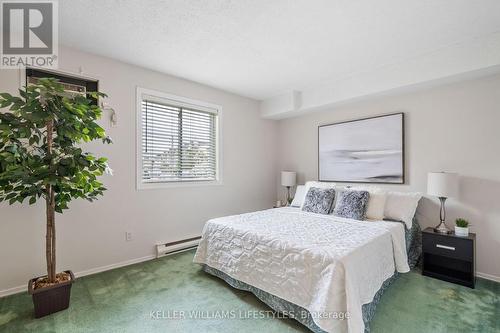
pixel 91 235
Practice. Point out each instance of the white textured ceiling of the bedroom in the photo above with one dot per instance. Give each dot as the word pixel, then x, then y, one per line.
pixel 261 48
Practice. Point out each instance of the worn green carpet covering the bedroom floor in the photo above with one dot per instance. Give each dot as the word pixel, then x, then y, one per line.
pixel 122 300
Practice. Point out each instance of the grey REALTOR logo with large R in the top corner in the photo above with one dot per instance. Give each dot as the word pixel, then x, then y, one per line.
pixel 29 34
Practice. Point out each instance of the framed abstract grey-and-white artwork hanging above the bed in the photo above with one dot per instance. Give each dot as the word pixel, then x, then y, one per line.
pixel 369 150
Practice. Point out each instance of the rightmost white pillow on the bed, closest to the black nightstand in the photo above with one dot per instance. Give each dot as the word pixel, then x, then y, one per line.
pixel 401 206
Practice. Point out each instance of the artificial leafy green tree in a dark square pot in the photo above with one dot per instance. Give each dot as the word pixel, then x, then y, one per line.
pixel 41 159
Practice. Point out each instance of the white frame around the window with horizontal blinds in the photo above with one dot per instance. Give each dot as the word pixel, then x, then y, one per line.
pixel 163 97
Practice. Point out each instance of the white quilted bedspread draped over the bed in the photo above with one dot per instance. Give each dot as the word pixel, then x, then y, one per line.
pixel 322 263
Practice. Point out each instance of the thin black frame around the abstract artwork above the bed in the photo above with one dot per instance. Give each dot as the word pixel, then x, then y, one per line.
pixel 403 163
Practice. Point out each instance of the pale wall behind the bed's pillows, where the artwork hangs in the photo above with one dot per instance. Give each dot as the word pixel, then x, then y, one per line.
pixel 448 128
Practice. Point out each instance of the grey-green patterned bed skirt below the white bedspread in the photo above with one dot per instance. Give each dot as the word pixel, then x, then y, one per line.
pixel 414 250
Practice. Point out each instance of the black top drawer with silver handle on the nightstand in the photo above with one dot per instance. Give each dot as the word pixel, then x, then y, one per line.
pixel 448 246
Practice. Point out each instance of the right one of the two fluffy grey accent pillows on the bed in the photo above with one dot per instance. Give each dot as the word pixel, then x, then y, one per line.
pixel 352 204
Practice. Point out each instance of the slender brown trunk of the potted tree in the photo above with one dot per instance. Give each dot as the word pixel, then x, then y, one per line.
pixel 50 238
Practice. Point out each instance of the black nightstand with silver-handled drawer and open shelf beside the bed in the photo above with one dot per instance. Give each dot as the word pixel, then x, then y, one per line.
pixel 448 257
